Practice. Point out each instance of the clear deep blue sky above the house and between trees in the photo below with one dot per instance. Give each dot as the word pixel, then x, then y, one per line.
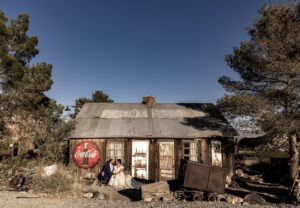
pixel 172 49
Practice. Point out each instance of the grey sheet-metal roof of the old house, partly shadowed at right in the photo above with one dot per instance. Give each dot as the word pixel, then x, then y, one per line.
pixel 162 120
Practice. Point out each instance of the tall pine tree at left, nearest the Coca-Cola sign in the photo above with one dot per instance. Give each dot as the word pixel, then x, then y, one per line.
pixel 23 85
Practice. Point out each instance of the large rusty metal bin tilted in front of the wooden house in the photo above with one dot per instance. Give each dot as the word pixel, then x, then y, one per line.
pixel 202 177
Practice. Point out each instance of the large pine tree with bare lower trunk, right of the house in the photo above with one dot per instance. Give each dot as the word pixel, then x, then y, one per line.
pixel 269 67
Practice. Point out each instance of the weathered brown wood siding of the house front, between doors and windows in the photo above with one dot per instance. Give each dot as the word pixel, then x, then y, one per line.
pixel 204 152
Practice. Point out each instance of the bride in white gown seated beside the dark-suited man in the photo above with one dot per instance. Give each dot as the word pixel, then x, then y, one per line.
pixel 121 181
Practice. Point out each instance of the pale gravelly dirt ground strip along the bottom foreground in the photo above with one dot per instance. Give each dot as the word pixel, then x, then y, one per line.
pixel 11 199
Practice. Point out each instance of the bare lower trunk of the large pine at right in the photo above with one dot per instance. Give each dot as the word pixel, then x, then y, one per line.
pixel 294 157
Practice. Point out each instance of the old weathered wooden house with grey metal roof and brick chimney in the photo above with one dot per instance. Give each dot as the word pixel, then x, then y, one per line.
pixel 150 138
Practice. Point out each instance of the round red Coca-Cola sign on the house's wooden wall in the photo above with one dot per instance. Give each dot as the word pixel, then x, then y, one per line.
pixel 86 154
